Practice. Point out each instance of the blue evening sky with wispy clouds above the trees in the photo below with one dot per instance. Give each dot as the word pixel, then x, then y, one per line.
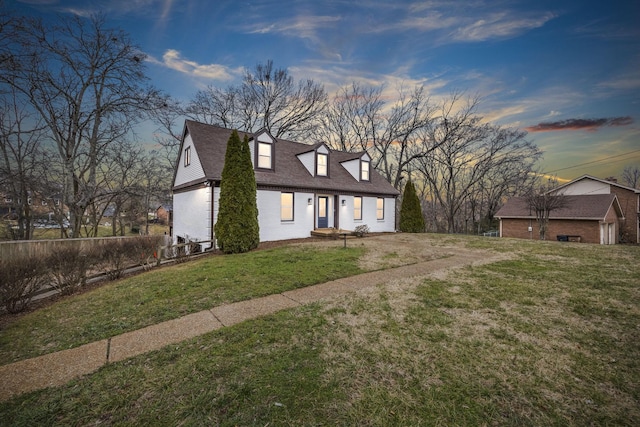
pixel 566 71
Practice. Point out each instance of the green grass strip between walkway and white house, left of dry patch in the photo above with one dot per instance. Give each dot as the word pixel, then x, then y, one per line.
pixel 170 292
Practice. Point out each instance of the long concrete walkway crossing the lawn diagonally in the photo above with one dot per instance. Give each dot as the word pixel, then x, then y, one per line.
pixel 58 368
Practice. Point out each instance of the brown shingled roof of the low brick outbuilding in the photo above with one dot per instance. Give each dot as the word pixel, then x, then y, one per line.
pixel 585 207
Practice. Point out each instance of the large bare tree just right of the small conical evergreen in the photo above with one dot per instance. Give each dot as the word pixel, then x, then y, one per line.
pixel 467 154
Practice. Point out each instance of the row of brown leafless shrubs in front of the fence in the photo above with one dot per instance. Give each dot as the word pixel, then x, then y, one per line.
pixel 67 268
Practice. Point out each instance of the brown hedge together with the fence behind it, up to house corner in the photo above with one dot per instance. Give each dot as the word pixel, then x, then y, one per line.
pixel 66 266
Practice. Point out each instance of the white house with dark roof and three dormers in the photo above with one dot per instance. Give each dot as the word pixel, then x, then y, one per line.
pixel 301 187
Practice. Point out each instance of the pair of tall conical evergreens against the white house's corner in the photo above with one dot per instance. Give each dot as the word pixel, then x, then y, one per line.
pixel 237 227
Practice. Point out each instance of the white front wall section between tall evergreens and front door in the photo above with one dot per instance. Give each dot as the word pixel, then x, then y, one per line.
pixel 272 228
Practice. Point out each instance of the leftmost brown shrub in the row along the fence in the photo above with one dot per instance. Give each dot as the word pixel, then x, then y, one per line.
pixel 19 279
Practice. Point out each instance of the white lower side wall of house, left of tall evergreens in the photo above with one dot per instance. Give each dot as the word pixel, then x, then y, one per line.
pixel 192 214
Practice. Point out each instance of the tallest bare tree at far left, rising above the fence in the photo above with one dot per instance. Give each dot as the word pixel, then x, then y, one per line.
pixel 86 82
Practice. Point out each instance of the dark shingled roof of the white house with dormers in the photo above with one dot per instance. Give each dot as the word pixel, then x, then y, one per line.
pixel 210 143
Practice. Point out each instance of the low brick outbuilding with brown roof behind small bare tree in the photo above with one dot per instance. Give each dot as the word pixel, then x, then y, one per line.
pixel 584 218
